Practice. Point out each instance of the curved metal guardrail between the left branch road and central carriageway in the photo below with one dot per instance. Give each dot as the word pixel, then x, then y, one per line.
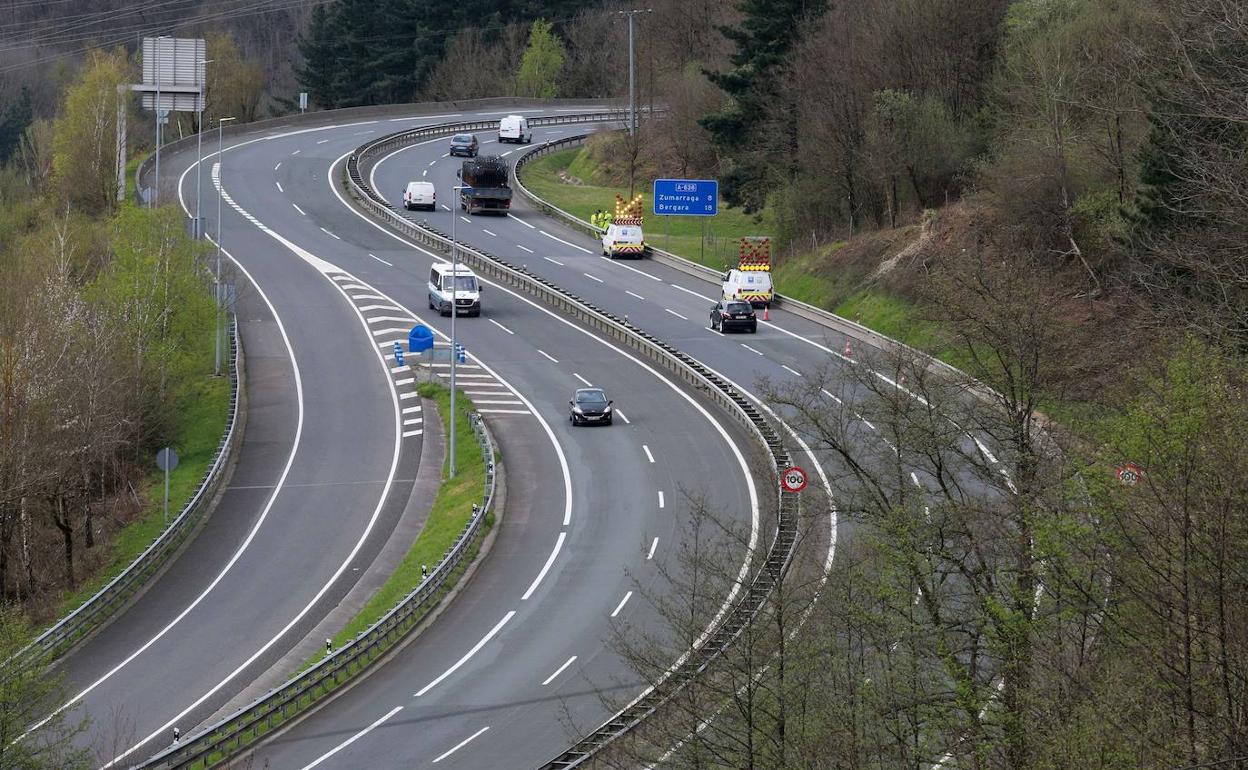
pixel 239 731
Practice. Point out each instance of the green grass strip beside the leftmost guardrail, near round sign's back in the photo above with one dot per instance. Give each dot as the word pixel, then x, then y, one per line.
pixel 205 409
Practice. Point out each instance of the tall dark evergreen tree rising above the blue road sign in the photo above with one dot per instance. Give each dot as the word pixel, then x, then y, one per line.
pixel 763 41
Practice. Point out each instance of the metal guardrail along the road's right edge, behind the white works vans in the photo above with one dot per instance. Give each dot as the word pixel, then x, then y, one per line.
pixel 832 321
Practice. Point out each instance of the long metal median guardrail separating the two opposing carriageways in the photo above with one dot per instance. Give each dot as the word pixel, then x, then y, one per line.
pixel 688 369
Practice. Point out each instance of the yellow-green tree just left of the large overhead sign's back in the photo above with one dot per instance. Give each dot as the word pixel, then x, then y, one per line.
pixel 85 134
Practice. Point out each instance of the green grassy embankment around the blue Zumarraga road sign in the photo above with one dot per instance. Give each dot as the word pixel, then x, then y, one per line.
pixel 797 278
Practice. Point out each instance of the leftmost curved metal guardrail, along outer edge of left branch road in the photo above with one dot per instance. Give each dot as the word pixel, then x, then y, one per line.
pixel 93 613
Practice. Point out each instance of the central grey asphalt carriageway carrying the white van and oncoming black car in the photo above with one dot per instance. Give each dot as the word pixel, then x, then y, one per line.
pixel 592 514
